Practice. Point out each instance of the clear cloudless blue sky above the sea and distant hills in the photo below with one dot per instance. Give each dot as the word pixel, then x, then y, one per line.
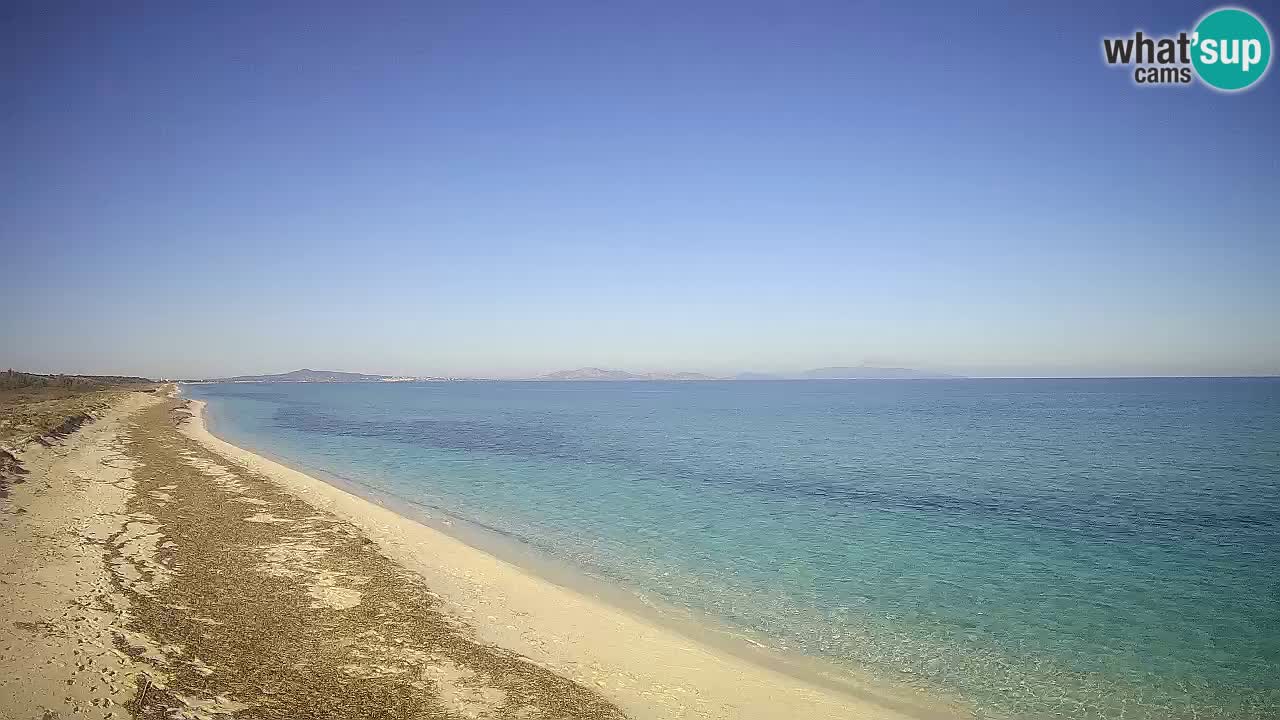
pixel 499 190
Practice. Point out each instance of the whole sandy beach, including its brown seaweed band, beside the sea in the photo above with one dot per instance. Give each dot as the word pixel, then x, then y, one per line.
pixel 164 573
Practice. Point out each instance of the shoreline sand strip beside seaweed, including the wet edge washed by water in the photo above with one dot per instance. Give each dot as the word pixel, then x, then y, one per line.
pixel 473 567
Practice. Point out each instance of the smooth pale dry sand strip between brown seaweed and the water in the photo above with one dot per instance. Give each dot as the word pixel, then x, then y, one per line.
pixel 648 669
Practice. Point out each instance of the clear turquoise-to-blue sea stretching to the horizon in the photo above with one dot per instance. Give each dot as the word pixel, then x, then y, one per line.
pixel 1040 549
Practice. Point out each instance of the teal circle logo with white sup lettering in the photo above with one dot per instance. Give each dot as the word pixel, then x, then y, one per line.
pixel 1232 49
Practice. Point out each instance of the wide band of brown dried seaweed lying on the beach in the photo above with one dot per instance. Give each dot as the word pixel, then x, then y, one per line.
pixel 266 608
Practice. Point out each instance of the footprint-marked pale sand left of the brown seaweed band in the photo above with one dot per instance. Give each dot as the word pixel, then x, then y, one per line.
pixel 60 610
